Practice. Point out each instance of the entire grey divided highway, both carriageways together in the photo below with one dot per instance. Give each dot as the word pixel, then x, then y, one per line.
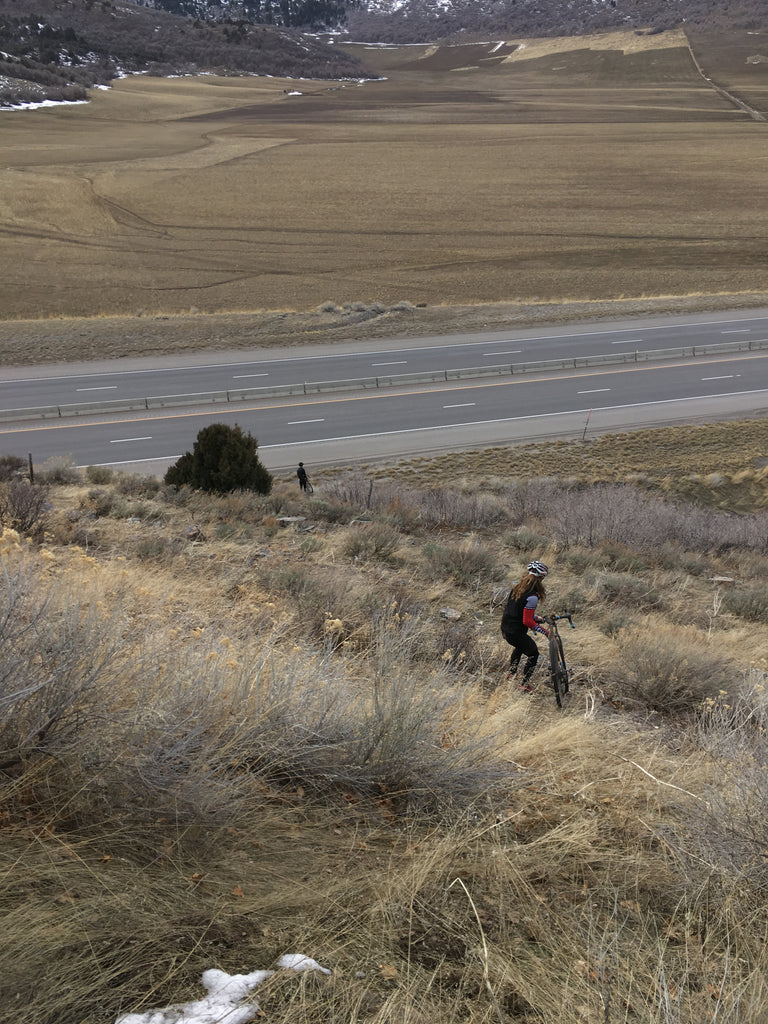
pixel 356 428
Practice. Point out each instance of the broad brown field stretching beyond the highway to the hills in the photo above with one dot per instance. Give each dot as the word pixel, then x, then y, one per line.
pixel 470 177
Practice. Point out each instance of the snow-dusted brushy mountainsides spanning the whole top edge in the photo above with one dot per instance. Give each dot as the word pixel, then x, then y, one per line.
pixel 57 51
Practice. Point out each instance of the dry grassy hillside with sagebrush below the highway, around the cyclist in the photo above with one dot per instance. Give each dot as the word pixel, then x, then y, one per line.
pixel 227 738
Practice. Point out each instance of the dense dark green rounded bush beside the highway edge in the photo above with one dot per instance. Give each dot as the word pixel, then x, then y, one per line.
pixel 223 459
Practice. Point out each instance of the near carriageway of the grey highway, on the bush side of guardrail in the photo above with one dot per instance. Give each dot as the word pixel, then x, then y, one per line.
pixel 365 426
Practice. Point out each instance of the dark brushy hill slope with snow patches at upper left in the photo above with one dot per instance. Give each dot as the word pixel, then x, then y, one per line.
pixel 57 51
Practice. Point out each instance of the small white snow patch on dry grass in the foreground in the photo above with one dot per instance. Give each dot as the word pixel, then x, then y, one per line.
pixel 224 1005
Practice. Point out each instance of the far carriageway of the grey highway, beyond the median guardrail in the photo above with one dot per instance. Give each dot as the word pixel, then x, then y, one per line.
pixel 34 388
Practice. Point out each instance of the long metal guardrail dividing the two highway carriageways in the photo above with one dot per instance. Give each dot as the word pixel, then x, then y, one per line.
pixel 367 383
